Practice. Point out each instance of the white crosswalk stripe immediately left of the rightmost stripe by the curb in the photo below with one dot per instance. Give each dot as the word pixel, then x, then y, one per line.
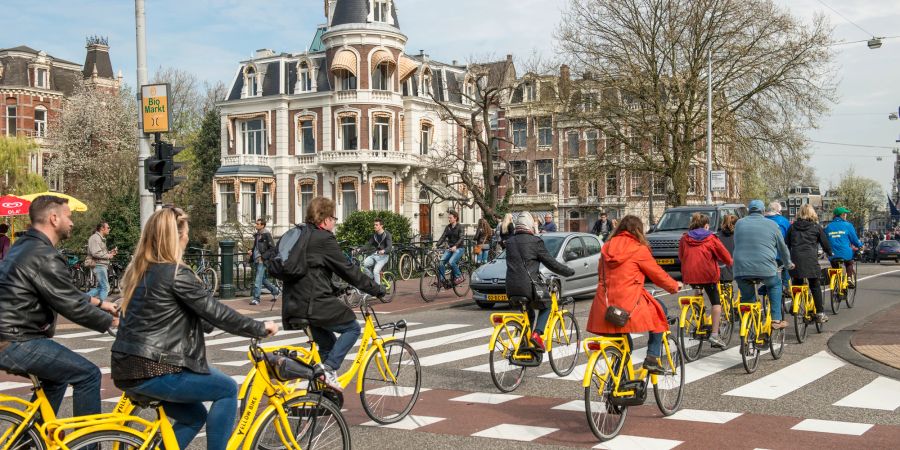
pixel 790 378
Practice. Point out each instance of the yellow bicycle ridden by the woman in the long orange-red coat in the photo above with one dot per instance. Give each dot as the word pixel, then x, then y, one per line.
pixel 611 384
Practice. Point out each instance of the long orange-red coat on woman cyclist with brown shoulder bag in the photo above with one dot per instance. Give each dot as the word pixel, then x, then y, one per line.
pixel 627 264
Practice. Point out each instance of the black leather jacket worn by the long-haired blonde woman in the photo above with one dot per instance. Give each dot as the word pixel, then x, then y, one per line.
pixel 162 321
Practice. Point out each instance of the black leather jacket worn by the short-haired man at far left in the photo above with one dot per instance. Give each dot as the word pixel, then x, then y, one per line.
pixel 35 285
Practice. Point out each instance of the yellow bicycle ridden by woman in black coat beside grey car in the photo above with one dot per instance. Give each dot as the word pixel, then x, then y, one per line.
pixel 511 352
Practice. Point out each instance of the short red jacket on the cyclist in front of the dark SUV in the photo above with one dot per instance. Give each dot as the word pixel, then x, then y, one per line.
pixel 700 258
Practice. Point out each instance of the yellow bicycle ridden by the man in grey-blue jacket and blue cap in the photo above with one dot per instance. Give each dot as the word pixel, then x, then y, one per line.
pixel 757 333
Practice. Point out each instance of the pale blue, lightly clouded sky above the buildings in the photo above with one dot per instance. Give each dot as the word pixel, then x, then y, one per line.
pixel 209 37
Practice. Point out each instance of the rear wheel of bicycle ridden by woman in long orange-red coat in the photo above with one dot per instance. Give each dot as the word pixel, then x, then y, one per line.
pixel 605 419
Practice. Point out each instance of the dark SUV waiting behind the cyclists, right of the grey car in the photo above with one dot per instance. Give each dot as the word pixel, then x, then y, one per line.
pixel 664 237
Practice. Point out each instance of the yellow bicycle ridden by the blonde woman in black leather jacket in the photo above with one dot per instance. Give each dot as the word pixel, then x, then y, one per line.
pixel 291 420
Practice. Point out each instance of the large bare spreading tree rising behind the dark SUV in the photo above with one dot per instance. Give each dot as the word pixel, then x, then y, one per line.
pixel 645 89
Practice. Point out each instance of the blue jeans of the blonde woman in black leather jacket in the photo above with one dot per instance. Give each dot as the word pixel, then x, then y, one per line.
pixel 182 395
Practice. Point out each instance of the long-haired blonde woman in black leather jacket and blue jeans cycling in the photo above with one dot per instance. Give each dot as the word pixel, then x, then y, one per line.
pixel 159 350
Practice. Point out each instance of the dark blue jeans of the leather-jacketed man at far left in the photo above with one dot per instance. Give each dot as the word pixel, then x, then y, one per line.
pixel 57 367
